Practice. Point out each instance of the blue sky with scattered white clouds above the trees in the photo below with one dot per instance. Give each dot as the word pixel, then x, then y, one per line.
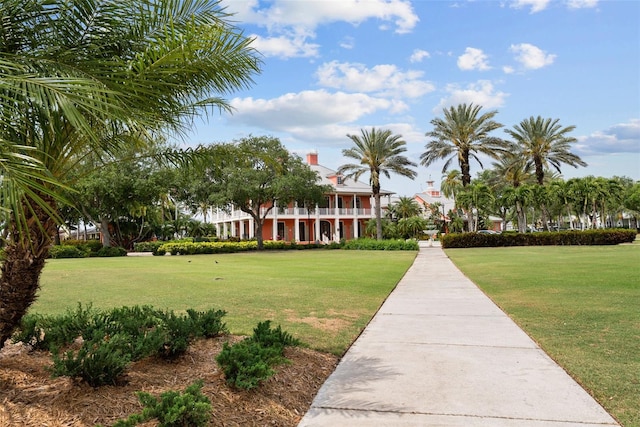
pixel 331 68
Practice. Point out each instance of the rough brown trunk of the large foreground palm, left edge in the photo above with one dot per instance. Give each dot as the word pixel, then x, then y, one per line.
pixel 25 259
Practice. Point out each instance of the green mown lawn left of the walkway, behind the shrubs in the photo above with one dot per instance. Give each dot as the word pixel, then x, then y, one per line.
pixel 322 297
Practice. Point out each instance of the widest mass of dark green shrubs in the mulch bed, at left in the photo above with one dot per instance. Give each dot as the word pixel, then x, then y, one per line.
pixel 112 338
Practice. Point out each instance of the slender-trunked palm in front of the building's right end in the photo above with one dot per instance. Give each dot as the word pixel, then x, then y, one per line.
pixel 378 153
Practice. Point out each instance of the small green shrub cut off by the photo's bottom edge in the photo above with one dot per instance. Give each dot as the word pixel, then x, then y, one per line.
pixel 173 409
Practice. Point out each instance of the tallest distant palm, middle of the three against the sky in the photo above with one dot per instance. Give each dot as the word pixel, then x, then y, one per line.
pixel 462 135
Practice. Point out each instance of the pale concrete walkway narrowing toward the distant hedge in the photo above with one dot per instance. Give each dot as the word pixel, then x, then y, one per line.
pixel 441 353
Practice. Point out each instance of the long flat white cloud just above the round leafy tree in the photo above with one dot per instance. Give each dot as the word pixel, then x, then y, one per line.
pixel 308 109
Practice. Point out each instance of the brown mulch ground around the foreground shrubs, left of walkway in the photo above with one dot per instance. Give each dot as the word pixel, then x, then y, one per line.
pixel 30 397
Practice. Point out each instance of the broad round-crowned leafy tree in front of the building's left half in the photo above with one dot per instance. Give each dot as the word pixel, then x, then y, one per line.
pixel 260 175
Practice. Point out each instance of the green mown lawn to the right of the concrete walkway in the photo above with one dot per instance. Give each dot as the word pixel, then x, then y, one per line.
pixel 581 304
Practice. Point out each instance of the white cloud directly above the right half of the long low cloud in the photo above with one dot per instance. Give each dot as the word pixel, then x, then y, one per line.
pixel 383 80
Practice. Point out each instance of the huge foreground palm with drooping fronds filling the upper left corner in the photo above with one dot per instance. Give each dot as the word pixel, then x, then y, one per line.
pixel 89 78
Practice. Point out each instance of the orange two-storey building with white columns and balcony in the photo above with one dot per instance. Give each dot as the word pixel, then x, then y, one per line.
pixel 343 215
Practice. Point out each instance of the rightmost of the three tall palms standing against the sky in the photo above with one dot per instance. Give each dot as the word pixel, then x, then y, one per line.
pixel 544 143
